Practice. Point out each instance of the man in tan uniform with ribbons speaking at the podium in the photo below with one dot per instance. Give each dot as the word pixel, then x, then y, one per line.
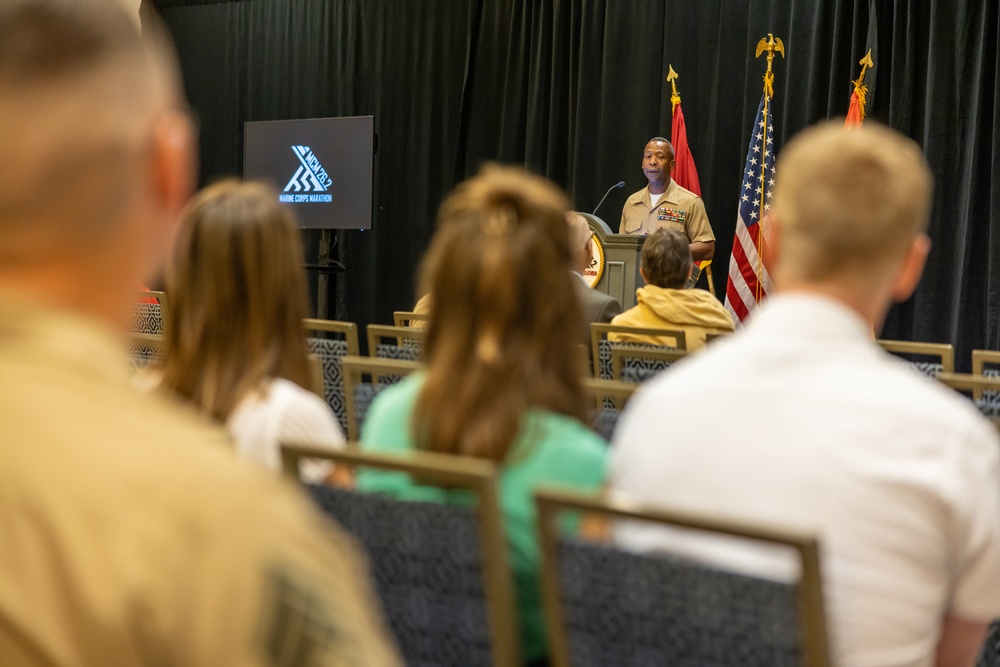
pixel 663 203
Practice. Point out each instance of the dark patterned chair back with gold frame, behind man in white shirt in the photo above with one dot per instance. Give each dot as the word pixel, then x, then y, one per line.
pixel 608 606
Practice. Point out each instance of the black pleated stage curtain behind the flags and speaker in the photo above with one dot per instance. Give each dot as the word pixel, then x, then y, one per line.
pixel 572 89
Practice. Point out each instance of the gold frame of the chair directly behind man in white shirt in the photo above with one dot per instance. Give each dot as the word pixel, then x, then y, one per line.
pixel 550 502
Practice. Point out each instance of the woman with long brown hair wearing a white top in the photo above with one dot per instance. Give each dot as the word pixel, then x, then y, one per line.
pixel 234 343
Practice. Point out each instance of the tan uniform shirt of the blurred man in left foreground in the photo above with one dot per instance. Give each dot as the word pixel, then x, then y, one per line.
pixel 130 535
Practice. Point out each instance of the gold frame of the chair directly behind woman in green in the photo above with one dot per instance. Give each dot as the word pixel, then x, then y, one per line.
pixel 475 475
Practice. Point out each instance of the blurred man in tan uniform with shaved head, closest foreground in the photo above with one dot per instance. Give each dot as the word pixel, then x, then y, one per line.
pixel 129 535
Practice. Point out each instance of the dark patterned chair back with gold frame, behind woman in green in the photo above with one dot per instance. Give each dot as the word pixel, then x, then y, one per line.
pixel 439 569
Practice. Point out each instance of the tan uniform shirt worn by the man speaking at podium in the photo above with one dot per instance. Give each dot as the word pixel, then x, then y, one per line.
pixel 678 209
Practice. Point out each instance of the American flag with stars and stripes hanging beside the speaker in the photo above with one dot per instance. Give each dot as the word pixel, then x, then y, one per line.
pixel 749 281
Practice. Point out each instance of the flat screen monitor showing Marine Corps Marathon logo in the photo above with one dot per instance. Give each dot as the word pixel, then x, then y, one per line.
pixel 321 167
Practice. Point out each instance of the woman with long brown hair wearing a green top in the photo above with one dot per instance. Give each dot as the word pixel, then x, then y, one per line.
pixel 503 363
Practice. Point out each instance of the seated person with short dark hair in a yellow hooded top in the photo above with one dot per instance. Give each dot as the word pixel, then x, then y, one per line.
pixel 664 303
